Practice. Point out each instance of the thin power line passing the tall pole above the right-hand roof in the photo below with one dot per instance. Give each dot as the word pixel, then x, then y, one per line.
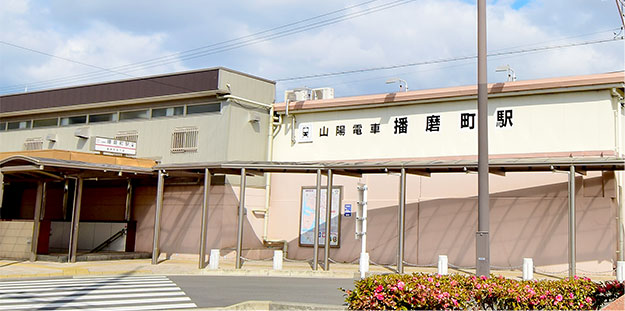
pixel 446 60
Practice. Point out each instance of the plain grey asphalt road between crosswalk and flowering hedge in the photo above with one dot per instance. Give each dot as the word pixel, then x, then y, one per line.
pixel 221 291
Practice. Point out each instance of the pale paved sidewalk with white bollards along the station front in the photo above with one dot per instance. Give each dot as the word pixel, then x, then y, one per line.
pixel 188 265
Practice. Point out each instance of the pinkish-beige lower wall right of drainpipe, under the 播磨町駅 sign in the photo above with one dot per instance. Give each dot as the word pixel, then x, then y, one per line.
pixel 529 218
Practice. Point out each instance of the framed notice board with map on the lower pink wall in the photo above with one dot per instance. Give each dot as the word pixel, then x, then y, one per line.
pixel 307 217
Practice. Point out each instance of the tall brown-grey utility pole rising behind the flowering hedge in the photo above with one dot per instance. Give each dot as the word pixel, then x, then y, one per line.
pixel 482 241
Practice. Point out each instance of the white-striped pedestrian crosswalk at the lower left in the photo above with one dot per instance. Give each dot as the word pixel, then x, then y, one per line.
pixel 107 293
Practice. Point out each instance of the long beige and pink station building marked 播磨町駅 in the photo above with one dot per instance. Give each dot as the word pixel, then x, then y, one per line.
pixel 136 153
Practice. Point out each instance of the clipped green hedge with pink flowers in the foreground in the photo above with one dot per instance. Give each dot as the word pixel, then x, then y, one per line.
pixel 431 292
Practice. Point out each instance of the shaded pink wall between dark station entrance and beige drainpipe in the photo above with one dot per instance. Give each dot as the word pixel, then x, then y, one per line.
pixel 181 219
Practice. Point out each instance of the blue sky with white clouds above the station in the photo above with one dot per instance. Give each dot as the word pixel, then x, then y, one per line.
pixel 111 34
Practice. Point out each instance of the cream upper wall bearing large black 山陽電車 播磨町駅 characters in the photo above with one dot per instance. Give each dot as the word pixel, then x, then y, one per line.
pixel 545 123
